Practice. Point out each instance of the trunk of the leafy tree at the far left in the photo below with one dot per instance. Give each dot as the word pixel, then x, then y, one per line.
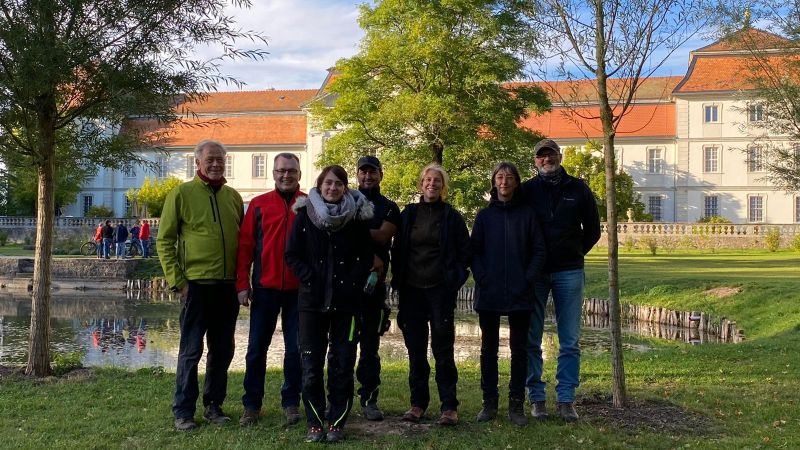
pixel 39 345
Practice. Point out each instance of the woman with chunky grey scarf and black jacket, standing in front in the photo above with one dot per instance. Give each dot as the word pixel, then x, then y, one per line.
pixel 330 251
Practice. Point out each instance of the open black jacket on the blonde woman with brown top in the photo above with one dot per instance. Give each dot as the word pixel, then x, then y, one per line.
pixel 456 251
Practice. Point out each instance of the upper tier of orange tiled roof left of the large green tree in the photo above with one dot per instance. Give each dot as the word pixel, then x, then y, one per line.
pixel 252 101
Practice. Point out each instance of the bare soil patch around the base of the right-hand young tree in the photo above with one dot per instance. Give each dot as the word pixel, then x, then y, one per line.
pixel 652 415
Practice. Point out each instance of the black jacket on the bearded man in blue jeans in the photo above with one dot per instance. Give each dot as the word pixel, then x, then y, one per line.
pixel 568 215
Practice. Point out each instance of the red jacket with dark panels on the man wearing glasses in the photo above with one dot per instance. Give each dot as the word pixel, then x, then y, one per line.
pixel 262 243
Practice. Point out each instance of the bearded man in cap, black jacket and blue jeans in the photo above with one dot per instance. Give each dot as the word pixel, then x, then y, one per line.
pixel 567 211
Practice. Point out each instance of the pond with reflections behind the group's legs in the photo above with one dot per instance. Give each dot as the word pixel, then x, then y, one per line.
pixel 135 331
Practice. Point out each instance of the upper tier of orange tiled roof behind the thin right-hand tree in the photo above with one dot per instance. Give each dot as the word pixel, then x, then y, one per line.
pixel 585 91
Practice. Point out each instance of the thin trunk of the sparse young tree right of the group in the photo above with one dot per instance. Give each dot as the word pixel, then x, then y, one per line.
pixel 619 396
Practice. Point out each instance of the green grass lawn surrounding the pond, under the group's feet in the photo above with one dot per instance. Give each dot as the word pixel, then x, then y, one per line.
pixel 739 396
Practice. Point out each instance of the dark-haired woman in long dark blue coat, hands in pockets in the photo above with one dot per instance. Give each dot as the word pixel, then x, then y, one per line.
pixel 508 253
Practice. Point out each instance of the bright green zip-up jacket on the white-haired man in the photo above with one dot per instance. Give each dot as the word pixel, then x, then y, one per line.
pixel 199 233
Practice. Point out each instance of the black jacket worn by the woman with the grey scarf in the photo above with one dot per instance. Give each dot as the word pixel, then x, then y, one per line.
pixel 332 266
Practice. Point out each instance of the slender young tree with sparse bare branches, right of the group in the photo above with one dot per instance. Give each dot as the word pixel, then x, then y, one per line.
pixel 625 41
